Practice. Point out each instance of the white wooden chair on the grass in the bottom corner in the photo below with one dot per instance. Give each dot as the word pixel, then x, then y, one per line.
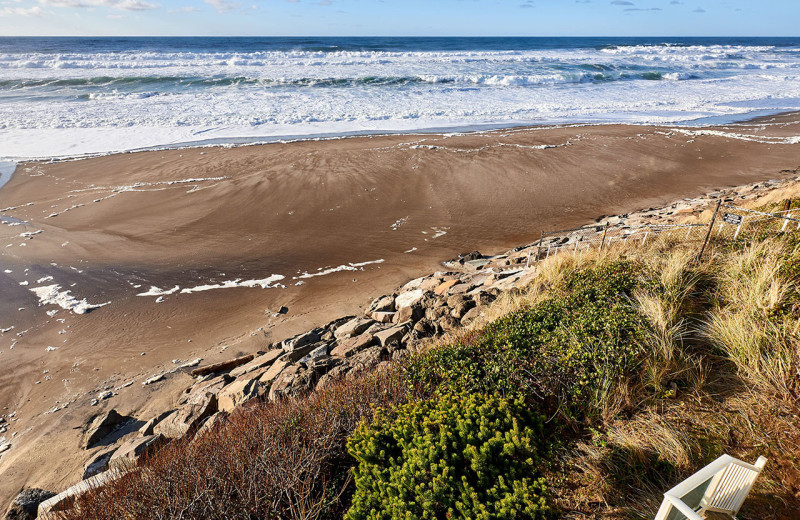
pixel 720 487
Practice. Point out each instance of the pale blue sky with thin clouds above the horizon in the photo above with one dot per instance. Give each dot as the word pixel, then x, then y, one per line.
pixel 402 17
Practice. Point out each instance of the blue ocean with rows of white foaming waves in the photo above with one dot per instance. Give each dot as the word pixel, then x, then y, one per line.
pixel 70 97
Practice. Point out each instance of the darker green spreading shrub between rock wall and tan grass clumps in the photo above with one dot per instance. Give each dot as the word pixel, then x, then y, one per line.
pixel 566 349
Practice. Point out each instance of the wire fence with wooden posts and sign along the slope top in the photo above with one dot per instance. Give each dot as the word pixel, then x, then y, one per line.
pixel 728 223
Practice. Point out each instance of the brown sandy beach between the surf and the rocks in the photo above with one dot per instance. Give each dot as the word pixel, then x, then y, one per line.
pixel 112 227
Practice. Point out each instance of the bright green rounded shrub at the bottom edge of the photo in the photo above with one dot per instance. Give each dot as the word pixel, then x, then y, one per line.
pixel 454 457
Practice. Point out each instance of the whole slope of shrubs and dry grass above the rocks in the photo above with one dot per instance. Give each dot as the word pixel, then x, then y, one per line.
pixel 612 377
